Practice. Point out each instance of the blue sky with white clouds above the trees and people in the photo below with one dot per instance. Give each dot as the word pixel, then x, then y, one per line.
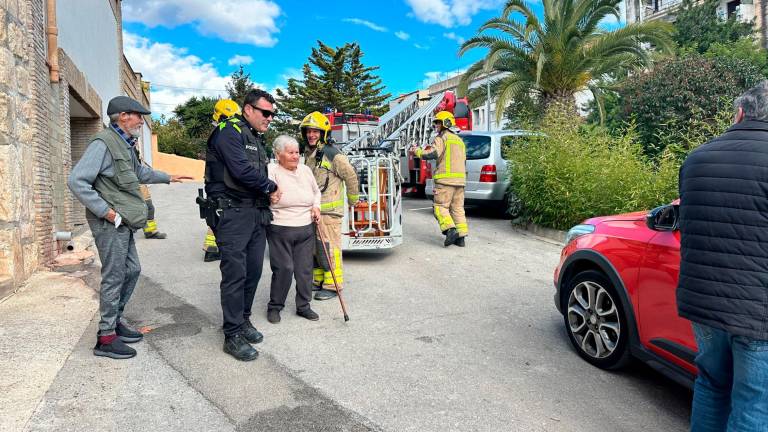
pixel 190 47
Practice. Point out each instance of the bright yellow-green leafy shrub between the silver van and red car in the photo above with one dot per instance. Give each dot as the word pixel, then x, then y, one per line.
pixel 575 172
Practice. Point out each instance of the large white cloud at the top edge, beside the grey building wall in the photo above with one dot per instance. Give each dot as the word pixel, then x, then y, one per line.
pixel 243 21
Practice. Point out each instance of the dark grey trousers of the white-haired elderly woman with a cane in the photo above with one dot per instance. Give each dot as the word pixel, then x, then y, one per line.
pixel 290 255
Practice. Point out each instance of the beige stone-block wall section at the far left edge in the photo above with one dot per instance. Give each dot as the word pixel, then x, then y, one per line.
pixel 22 82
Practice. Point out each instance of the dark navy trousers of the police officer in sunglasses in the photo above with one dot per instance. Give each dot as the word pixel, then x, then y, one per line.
pixel 241 237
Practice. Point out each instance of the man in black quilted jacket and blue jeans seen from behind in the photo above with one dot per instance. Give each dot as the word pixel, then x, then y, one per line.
pixel 723 285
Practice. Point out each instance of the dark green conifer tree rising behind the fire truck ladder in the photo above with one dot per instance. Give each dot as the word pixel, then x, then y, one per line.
pixel 334 78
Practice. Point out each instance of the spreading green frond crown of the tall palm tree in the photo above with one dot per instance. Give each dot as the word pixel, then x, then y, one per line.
pixel 565 53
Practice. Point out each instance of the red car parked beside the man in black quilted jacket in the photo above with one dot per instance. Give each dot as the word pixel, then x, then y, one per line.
pixel 615 287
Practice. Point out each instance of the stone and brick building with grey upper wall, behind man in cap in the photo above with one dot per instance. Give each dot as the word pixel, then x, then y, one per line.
pixel 60 63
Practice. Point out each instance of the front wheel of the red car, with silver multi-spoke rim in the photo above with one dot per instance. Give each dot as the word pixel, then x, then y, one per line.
pixel 595 320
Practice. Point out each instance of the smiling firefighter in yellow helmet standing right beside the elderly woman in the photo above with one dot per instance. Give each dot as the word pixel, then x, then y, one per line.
pixel 334 174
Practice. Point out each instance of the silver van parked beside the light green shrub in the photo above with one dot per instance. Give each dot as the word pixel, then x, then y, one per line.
pixel 487 179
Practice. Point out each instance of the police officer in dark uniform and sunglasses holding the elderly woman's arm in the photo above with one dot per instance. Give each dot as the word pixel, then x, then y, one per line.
pixel 236 180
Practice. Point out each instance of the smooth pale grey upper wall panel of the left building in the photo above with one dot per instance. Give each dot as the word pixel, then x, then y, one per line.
pixel 89 33
